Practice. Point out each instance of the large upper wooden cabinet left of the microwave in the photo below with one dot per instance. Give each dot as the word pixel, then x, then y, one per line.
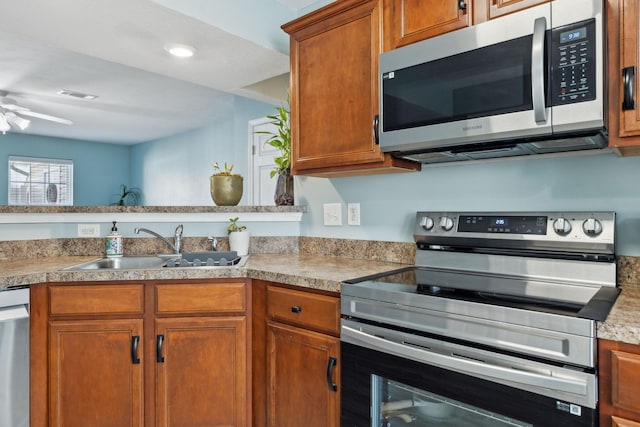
pixel 334 91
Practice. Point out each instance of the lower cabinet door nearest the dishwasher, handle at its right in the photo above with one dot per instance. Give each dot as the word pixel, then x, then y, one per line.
pixel 95 373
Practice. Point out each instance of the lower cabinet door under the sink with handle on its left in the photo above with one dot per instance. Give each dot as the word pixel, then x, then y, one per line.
pixel 201 372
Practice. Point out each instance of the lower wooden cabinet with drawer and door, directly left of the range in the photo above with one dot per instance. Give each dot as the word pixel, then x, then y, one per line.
pixel 303 359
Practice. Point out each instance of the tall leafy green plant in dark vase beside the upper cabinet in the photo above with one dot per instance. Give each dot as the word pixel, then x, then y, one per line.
pixel 281 140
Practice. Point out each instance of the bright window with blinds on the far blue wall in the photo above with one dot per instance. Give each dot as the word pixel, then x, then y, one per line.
pixel 35 181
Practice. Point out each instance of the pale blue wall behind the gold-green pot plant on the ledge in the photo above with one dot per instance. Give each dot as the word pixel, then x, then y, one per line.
pixel 175 170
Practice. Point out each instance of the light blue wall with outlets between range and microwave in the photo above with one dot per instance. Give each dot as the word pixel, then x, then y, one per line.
pixel 388 203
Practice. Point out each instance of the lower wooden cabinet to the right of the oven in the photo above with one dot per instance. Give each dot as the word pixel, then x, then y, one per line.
pixel 619 376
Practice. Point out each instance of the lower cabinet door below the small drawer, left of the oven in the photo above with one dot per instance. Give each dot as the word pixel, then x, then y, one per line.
pixel 303 370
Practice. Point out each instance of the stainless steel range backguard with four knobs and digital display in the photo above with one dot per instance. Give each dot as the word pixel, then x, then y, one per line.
pixel 587 229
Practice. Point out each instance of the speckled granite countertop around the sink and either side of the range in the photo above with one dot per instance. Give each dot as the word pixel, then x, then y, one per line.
pixel 310 271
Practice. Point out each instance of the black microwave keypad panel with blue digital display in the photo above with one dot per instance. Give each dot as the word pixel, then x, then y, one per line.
pixel 573 65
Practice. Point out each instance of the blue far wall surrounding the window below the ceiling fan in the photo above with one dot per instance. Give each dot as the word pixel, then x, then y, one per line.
pixel 98 169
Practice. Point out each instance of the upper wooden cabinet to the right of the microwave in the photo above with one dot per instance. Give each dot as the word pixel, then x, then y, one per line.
pixel 623 23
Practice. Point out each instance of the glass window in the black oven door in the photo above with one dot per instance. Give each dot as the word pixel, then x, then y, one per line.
pixel 396 404
